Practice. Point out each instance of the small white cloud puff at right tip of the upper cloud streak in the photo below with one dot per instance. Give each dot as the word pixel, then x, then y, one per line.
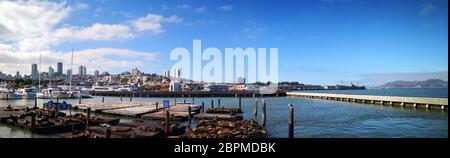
pixel 153 23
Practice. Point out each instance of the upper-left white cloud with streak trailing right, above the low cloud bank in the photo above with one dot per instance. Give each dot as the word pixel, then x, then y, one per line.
pixel 31 25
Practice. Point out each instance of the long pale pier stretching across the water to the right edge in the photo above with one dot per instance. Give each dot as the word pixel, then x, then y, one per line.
pixel 415 102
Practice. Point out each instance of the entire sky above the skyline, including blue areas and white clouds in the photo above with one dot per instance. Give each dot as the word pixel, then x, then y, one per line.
pixel 320 41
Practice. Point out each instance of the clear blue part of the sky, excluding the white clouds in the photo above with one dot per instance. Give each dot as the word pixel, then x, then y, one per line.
pixel 319 42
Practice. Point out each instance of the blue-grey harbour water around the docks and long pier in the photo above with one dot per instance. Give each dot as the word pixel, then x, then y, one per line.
pixel 321 118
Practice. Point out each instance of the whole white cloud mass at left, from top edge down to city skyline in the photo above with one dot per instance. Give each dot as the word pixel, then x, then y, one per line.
pixel 30 28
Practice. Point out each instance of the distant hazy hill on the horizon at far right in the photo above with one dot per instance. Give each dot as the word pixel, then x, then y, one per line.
pixel 431 83
